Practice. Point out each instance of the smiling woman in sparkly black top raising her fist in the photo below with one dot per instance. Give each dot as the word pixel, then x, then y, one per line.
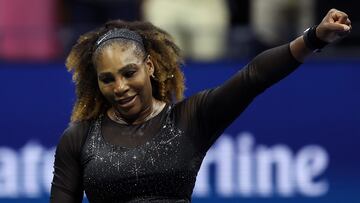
pixel 132 138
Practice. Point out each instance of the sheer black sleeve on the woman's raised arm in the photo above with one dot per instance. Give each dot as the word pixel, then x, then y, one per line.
pixel 217 108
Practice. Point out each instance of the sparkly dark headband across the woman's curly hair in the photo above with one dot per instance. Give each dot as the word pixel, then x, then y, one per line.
pixel 119 33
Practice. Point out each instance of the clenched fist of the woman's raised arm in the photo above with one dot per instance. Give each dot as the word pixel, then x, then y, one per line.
pixel 334 26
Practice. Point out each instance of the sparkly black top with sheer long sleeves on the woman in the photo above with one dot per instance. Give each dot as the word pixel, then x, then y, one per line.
pixel 158 160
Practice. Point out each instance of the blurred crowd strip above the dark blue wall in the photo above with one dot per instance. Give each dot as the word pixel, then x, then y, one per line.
pixel 206 30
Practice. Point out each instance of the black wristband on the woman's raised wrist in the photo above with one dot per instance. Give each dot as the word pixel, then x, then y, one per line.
pixel 312 41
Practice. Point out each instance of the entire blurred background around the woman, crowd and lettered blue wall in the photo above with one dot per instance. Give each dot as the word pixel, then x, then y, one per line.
pixel 298 142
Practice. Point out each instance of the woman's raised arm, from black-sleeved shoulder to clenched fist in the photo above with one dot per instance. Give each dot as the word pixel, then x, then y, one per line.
pixel 220 106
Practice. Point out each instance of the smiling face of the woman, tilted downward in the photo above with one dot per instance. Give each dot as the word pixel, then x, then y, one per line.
pixel 124 79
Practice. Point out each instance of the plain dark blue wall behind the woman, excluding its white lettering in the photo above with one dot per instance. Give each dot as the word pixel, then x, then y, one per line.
pixel 318 104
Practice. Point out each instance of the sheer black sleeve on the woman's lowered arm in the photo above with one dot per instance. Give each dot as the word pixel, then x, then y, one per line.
pixel 67 181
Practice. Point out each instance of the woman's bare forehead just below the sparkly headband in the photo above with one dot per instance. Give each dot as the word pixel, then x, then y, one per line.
pixel 115 56
